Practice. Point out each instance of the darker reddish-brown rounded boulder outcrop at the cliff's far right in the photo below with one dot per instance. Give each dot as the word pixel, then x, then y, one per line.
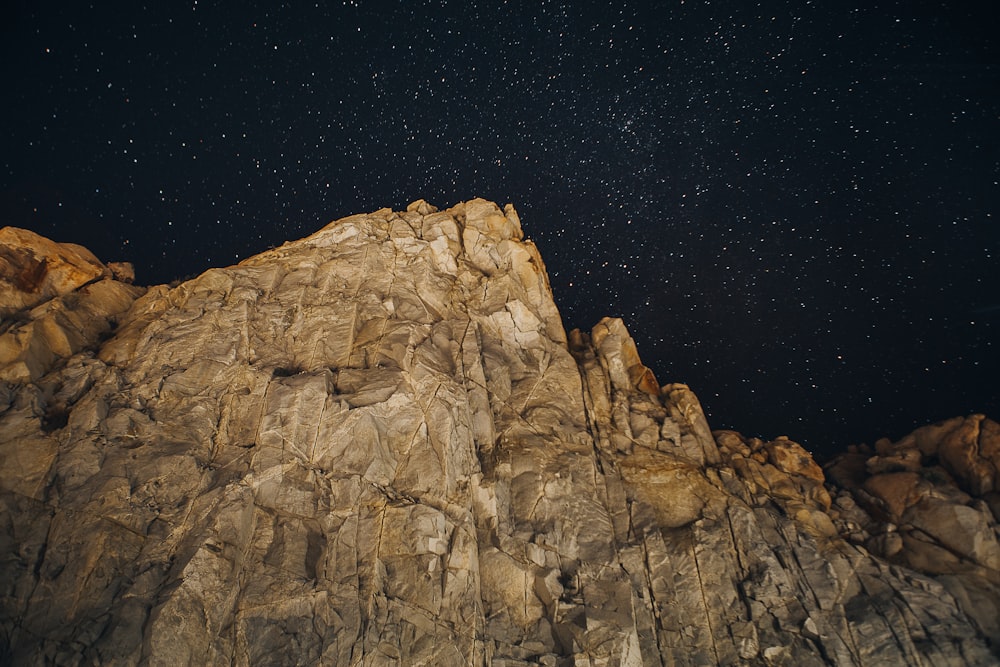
pixel 926 505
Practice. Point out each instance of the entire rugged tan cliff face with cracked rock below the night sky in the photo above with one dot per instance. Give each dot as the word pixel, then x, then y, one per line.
pixel 377 445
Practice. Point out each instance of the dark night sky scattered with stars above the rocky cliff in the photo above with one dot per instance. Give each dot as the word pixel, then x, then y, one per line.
pixel 793 205
